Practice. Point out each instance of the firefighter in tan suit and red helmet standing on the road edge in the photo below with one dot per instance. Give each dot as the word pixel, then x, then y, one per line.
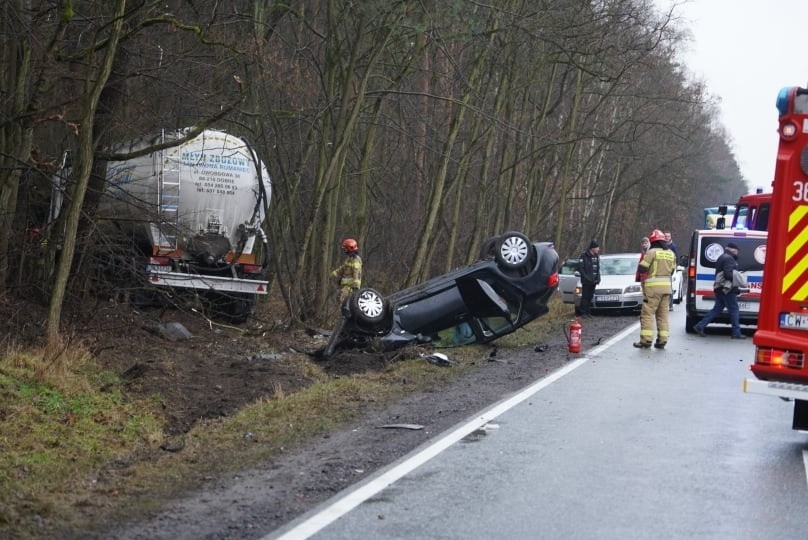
pixel 657 266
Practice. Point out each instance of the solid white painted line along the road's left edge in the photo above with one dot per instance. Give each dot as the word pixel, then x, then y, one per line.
pixel 353 499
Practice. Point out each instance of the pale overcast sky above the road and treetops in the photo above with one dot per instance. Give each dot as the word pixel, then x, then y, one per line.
pixel 746 51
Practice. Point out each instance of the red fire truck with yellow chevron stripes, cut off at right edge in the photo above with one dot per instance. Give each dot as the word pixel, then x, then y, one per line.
pixel 781 340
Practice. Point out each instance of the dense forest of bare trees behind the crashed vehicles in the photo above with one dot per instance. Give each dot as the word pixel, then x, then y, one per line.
pixel 421 128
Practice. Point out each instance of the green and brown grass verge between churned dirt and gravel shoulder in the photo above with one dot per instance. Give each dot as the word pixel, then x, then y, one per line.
pixel 70 439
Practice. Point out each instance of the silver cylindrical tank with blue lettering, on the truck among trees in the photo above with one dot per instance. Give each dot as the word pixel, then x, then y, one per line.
pixel 202 195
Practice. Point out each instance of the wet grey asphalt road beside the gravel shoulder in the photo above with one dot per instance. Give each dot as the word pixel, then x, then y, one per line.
pixel 624 443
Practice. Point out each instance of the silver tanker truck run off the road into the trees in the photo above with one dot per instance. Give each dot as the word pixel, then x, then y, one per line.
pixel 191 214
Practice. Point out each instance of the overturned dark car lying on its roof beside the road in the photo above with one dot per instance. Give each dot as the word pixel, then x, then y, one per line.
pixel 509 287
